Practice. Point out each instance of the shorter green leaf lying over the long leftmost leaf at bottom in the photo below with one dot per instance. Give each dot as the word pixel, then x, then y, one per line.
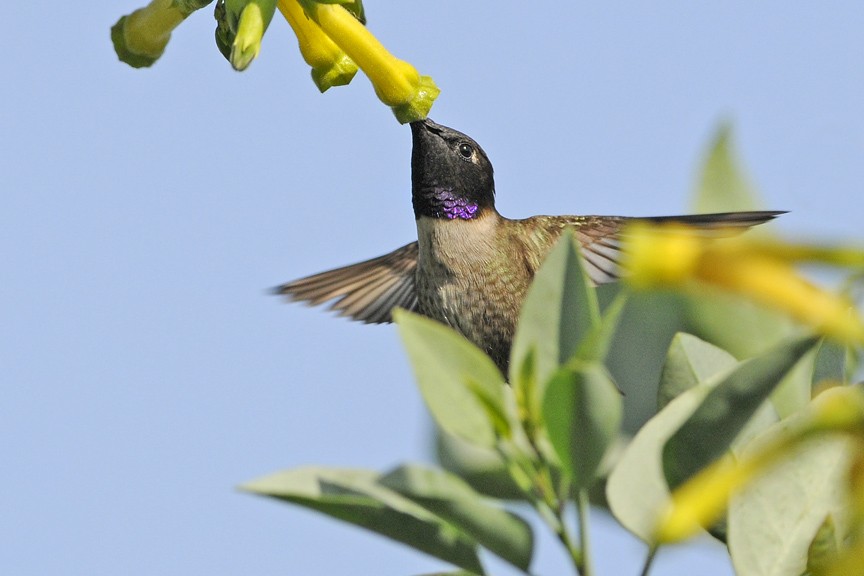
pixel 450 498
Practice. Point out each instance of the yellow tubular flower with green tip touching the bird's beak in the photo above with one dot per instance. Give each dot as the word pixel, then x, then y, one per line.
pixel 397 83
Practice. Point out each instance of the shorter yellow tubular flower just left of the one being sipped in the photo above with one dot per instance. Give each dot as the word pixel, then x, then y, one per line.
pixel 330 65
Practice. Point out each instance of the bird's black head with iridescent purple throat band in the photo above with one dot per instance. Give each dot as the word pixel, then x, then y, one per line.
pixel 451 176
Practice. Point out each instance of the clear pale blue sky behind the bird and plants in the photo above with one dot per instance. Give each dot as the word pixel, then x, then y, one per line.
pixel 145 371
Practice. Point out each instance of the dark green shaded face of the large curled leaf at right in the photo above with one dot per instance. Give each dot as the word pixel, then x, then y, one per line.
pixel 709 432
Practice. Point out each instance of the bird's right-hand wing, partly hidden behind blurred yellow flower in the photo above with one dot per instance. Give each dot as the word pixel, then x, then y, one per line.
pixel 600 236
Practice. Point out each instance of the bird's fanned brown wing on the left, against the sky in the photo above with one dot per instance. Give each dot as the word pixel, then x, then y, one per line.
pixel 367 291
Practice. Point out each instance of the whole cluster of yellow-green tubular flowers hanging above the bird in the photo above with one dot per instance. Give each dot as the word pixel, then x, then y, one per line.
pixel 331 37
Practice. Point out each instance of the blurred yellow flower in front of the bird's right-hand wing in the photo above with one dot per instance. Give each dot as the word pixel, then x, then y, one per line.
pixel 674 255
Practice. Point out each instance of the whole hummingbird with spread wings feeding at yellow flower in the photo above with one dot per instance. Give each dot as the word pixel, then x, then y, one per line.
pixel 470 267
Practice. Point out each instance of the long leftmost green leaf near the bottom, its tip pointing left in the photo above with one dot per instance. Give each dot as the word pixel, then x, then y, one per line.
pixel 355 496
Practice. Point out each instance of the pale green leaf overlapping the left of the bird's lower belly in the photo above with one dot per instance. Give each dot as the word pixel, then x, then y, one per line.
pixel 462 387
